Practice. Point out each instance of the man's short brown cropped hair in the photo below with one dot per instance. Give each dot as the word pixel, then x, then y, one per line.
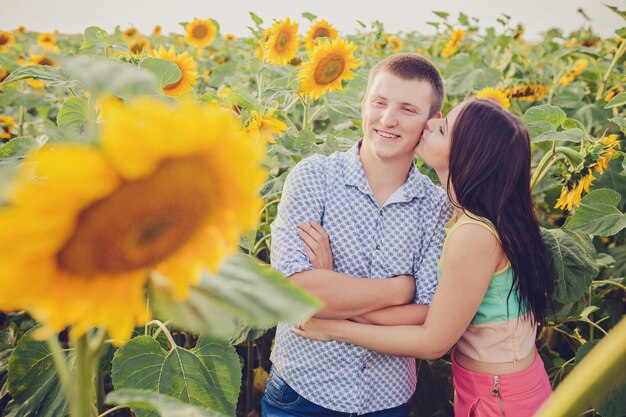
pixel 409 66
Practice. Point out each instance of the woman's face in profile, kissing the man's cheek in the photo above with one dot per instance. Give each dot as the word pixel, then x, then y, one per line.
pixel 434 145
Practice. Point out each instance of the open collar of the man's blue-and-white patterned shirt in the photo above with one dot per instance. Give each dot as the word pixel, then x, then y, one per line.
pixel 355 175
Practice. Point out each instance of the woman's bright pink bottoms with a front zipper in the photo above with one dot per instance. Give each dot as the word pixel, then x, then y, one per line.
pixel 519 394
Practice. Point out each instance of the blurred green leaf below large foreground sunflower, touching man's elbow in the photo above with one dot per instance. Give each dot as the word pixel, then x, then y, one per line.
pixel 242 290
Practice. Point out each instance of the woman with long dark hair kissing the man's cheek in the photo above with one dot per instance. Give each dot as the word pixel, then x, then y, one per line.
pixel 493 271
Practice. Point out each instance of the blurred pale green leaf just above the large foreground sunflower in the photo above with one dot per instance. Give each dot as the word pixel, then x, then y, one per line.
pixel 108 77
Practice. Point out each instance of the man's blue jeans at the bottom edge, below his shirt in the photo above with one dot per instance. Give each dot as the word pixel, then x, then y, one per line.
pixel 280 400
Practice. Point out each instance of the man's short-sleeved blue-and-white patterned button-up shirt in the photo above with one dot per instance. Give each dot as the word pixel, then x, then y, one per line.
pixel 403 237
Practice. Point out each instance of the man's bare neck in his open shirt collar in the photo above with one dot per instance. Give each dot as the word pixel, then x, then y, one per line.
pixel 384 177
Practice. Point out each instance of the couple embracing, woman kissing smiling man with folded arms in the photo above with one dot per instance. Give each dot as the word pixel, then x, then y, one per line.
pixel 410 270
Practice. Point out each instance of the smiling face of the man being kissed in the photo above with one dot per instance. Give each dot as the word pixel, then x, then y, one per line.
pixel 395 112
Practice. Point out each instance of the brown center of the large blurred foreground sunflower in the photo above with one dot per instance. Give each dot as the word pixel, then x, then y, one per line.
pixel 142 222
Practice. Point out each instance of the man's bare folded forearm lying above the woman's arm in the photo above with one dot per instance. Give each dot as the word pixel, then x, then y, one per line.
pixel 347 296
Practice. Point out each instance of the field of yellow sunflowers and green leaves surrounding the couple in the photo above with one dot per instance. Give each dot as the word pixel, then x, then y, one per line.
pixel 139 174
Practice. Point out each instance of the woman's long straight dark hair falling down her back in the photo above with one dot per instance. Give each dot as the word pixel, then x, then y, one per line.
pixel 490 174
